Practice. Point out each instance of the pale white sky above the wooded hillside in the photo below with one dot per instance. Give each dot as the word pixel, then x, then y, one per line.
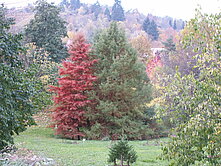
pixel 180 9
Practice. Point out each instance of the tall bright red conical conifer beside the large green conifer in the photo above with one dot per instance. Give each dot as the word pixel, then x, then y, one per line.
pixel 71 97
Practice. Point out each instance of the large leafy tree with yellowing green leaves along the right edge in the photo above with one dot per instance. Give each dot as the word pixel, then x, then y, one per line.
pixel 192 101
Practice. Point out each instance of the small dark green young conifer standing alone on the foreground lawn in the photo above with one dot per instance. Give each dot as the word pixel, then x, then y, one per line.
pixel 122 151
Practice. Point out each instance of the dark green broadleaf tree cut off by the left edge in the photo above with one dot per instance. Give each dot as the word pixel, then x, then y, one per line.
pixel 15 105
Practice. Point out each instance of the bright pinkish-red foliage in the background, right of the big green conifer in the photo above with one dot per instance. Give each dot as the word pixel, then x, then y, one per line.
pixel 152 65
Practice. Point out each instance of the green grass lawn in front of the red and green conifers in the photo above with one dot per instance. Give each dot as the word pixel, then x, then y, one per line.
pixel 78 153
